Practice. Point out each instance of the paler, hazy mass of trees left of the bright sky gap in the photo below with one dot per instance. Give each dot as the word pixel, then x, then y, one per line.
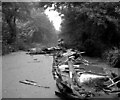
pixel 23 24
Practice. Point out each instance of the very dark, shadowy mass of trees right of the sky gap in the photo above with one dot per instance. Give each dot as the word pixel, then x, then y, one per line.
pixel 93 27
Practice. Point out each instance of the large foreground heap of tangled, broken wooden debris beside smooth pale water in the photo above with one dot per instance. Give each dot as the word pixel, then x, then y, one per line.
pixel 76 78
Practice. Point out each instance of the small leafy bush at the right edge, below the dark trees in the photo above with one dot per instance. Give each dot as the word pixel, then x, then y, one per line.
pixel 112 57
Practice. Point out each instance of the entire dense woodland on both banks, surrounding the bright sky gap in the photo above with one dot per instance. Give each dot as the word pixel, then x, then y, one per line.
pixel 93 27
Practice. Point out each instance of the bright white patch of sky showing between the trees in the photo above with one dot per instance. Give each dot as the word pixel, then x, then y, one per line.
pixel 54 17
